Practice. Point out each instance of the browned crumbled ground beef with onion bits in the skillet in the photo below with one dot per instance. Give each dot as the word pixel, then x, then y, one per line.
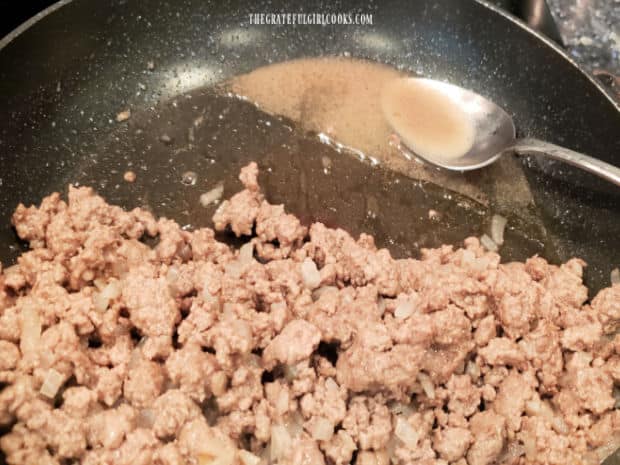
pixel 305 346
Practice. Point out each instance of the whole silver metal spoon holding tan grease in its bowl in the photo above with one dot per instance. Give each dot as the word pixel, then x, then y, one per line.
pixel 420 109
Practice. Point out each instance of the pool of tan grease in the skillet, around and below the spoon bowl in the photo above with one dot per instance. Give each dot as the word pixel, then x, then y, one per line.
pixel 339 99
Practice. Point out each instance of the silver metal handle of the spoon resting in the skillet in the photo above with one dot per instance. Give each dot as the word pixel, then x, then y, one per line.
pixel 593 165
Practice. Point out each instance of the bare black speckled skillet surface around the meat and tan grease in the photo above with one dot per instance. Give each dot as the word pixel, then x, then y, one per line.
pixel 64 79
